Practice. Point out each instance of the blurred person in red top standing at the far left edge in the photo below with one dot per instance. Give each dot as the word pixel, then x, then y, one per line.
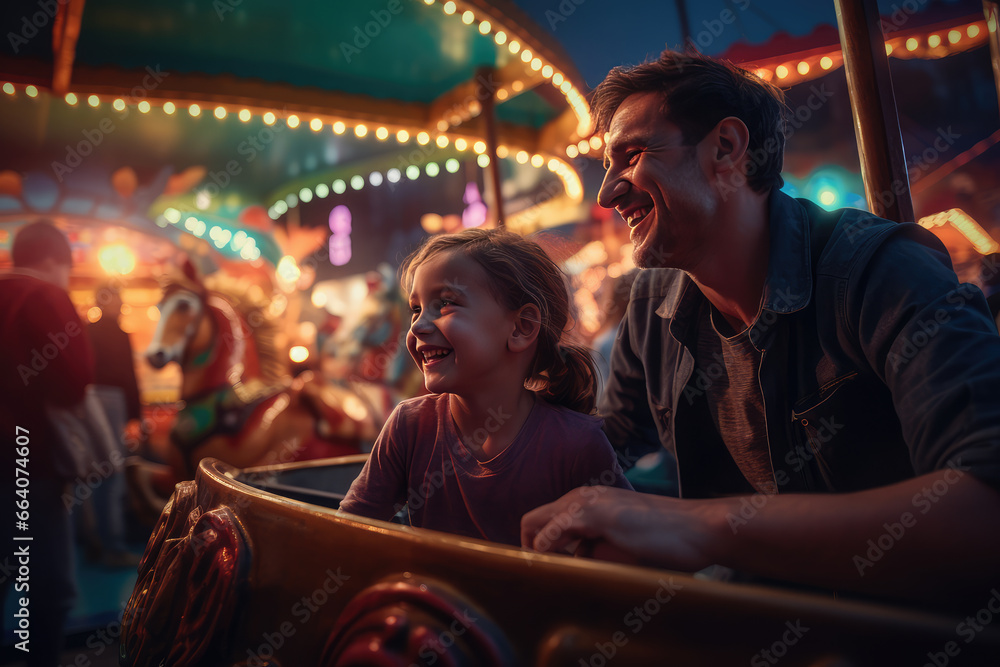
pixel 45 359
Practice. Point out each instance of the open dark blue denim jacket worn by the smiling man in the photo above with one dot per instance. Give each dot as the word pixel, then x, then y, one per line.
pixel 877 364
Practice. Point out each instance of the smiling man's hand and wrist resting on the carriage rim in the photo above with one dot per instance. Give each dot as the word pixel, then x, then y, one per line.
pixel 615 524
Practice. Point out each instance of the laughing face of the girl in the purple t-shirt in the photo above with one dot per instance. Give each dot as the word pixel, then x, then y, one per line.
pixel 458 332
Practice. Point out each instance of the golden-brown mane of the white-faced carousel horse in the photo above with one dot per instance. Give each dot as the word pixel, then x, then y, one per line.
pixel 253 306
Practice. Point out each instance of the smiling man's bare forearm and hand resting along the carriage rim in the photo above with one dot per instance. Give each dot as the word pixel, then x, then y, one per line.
pixel 881 541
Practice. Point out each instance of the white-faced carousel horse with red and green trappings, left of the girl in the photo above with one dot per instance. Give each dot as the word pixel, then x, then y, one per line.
pixel 239 404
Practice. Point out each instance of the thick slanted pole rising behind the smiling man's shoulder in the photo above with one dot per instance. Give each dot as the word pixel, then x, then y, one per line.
pixel 873 105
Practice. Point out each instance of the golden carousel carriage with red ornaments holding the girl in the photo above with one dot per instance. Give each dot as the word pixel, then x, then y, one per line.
pixel 255 567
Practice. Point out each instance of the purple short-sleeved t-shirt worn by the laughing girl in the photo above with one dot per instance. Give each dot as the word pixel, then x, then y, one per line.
pixel 419 460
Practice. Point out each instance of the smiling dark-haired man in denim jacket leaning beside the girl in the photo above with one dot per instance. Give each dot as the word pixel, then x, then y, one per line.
pixel 828 388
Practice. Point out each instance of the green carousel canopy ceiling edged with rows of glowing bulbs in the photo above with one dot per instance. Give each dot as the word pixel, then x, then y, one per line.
pixel 217 114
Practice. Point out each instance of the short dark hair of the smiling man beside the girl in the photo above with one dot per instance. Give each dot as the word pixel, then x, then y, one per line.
pixel 698 92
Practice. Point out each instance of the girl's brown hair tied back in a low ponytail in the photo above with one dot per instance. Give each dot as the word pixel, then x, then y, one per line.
pixel 520 273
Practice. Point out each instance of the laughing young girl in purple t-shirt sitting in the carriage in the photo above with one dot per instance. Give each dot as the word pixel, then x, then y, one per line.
pixel 507 425
